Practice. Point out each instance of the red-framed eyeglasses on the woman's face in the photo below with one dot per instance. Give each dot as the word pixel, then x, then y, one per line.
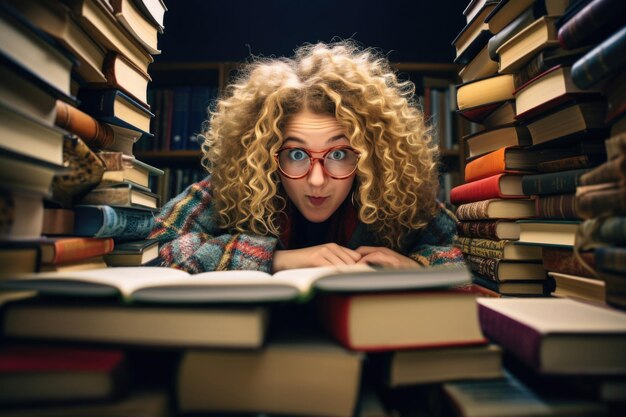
pixel 338 162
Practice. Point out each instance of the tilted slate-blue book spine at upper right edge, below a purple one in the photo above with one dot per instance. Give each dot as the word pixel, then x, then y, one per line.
pixel 601 62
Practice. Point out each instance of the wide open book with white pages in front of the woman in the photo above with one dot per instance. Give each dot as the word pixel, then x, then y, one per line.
pixel 169 285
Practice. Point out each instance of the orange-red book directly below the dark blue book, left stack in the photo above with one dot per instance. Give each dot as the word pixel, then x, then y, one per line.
pixel 69 249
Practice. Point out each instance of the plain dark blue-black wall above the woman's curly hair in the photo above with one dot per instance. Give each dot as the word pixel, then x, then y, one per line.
pixel 231 30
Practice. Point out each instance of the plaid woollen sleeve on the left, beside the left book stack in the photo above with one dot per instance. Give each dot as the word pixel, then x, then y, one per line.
pixel 190 240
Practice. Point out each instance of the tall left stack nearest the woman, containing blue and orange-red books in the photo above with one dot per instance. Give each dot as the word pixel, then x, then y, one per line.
pixel 105 194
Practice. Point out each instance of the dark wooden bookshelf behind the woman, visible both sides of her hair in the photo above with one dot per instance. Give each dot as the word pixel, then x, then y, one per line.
pixel 176 77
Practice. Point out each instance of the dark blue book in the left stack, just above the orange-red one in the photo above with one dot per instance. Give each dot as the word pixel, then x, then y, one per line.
pixel 105 221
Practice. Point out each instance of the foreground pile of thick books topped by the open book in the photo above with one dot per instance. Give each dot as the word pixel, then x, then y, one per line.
pixel 299 342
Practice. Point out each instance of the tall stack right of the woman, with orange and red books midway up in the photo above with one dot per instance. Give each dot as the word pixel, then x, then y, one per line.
pixel 540 133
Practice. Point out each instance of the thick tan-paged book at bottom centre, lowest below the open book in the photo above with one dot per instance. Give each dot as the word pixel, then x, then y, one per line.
pixel 294 377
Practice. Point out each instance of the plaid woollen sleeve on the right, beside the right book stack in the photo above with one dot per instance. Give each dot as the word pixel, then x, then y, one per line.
pixel 435 244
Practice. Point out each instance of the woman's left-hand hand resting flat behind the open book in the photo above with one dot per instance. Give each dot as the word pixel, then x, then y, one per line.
pixel 321 255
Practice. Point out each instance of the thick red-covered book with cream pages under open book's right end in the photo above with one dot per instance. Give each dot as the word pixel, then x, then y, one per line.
pixel 391 321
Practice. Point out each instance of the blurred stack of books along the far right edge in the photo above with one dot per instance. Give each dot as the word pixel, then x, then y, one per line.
pixel 600 195
